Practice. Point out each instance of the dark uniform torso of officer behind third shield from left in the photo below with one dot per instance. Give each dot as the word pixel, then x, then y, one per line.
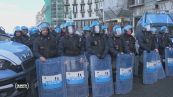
pixel 97 45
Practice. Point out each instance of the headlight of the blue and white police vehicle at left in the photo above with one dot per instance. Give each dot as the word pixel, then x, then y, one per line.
pixel 8 65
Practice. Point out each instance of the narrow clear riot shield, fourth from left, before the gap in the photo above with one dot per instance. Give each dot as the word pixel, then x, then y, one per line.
pixel 124 73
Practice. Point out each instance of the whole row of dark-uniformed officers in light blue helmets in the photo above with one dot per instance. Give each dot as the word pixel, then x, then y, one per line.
pixel 96 39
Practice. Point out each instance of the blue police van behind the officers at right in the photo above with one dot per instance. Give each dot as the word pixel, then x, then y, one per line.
pixel 154 19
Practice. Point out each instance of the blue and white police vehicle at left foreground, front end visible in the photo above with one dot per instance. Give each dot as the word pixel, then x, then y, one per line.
pixel 17 70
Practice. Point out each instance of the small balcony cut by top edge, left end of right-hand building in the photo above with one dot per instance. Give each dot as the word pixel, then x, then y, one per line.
pixel 136 3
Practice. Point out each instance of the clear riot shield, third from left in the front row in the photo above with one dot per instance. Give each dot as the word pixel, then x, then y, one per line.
pixel 101 75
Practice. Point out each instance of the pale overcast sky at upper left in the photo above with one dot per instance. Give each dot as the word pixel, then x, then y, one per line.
pixel 18 12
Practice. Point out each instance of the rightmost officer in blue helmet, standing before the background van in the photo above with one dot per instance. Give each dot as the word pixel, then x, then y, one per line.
pixel 163 40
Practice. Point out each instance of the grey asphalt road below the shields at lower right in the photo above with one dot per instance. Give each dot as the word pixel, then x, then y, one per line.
pixel 163 88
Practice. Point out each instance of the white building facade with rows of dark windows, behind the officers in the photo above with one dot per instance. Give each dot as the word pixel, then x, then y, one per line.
pixel 83 12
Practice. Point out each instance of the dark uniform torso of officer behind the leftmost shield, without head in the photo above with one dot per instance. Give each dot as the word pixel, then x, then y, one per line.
pixel 45 46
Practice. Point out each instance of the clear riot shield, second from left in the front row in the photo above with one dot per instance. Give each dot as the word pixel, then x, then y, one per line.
pixel 76 76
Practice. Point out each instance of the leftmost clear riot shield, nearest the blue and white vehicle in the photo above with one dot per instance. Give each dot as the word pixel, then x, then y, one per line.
pixel 50 78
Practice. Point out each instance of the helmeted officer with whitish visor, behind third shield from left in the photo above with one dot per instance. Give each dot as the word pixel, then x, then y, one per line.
pixel 97 43
